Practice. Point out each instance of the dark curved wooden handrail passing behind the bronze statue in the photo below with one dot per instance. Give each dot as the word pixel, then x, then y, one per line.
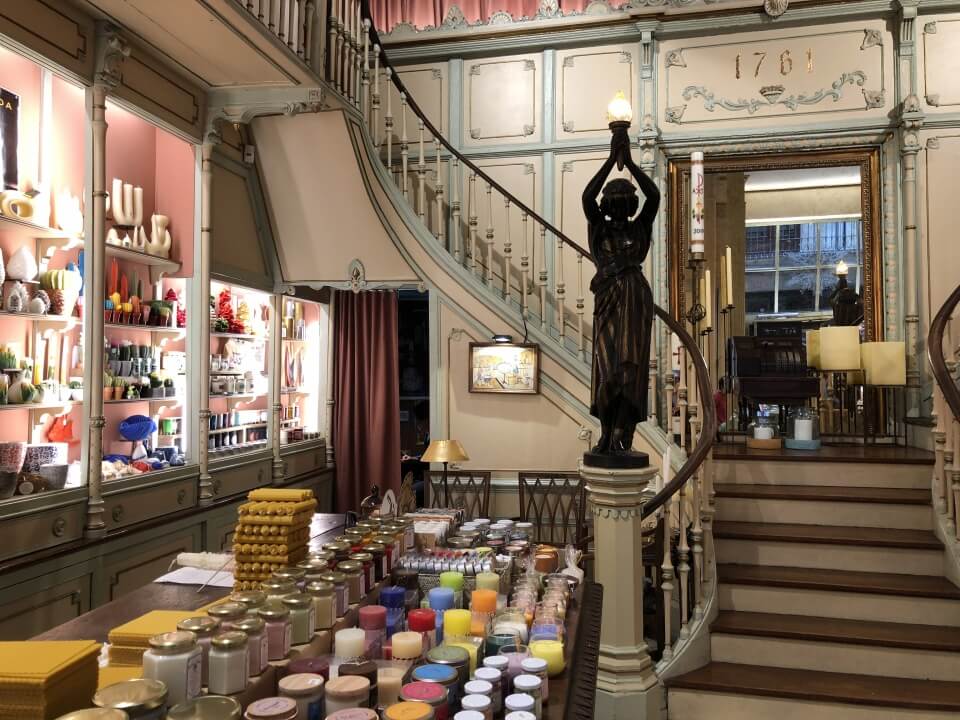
pixel 707 409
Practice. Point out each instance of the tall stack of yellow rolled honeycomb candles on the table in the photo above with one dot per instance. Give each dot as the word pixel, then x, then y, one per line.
pixel 273 529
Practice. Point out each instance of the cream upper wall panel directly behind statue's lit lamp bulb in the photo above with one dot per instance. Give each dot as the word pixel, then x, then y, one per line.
pixel 586 81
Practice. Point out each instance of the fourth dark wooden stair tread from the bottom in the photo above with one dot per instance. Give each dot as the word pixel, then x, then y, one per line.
pixel 828 535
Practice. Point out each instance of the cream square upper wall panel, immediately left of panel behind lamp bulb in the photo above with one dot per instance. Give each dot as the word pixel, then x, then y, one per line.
pixel 502 100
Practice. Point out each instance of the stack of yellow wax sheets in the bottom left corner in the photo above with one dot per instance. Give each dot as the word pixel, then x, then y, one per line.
pixel 41 679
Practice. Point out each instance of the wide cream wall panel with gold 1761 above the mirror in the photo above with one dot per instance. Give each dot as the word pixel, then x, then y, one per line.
pixel 786 74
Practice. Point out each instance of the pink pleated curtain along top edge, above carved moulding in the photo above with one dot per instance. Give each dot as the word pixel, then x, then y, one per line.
pixel 431 13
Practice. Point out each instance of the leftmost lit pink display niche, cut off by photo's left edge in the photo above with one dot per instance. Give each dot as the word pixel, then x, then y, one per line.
pixel 42 122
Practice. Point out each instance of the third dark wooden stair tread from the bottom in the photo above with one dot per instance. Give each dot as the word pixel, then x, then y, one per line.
pixel 839 580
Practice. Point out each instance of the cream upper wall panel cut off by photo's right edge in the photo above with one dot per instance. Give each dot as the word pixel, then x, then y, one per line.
pixel 940 58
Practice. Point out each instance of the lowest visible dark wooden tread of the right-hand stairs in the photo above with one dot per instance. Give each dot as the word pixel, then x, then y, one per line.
pixel 874 690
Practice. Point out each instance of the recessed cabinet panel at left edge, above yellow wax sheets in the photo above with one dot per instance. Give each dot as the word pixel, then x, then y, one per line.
pixel 26 610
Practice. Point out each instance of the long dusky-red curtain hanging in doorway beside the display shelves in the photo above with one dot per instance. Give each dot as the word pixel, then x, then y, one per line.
pixel 366 394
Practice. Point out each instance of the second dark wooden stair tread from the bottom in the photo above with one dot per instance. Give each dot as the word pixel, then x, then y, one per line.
pixel 855 632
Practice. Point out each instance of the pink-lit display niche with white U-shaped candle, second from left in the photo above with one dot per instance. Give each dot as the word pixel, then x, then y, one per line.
pixel 149 250
